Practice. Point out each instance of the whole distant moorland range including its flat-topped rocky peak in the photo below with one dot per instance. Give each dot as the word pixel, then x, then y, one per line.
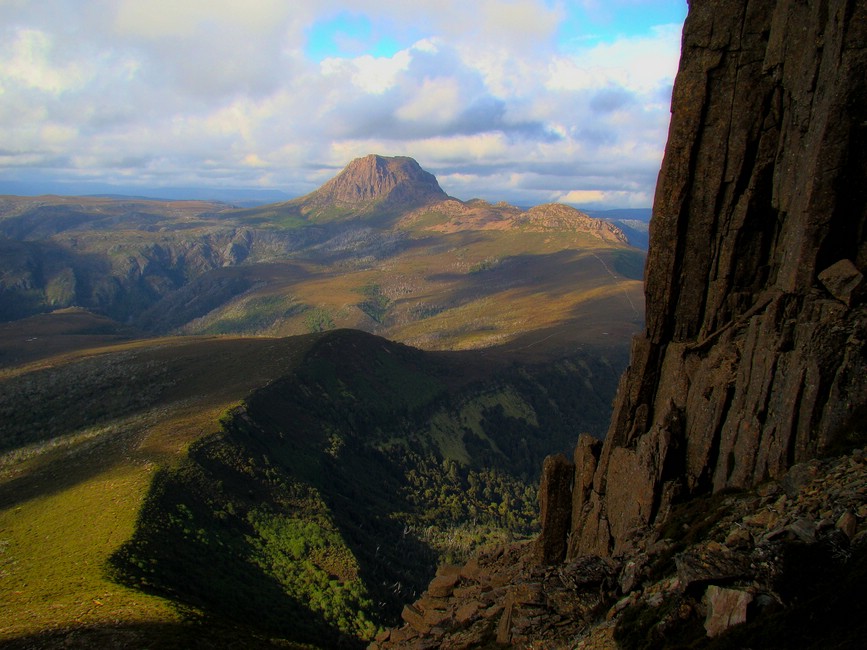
pixel 380 247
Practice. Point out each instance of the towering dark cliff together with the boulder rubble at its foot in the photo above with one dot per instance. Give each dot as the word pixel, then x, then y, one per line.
pixel 707 512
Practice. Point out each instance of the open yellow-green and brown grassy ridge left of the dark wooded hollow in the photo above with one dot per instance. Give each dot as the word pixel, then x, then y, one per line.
pixel 73 500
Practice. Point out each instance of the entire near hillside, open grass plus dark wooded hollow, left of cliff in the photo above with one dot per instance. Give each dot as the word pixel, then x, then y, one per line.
pixel 371 440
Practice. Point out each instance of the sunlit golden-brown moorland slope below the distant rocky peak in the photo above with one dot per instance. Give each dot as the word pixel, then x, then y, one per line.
pixel 464 290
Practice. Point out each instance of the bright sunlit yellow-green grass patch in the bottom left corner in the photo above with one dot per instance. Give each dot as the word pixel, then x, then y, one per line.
pixel 54 549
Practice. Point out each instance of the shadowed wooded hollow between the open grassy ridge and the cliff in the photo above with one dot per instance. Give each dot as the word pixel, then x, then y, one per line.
pixel 326 499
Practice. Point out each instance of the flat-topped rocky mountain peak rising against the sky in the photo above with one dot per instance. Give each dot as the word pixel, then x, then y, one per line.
pixel 397 181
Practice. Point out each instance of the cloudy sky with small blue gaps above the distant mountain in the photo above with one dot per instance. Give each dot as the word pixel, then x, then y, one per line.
pixel 525 101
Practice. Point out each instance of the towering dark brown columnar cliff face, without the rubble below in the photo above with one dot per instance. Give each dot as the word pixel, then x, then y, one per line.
pixel 755 351
